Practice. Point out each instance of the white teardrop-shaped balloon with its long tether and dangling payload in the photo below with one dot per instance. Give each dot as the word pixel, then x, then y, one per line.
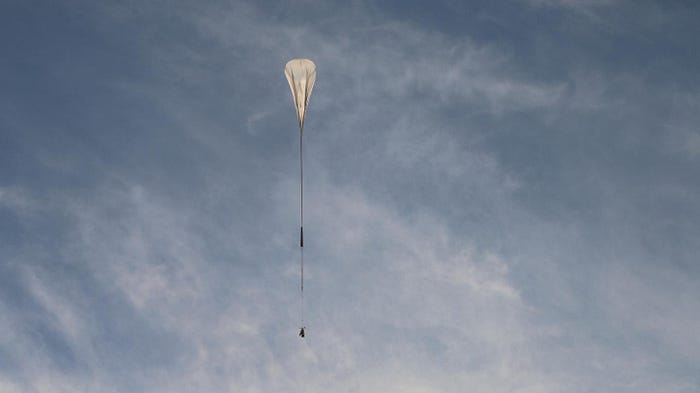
pixel 301 75
